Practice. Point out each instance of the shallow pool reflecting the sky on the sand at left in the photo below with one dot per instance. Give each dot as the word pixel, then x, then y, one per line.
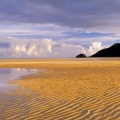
pixel 9 74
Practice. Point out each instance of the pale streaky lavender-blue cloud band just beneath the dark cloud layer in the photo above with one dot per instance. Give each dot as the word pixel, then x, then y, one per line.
pixel 52 31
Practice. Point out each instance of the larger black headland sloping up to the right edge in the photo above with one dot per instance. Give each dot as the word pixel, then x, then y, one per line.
pixel 113 51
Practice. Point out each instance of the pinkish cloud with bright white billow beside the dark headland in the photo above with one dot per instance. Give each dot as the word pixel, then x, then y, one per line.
pixel 61 49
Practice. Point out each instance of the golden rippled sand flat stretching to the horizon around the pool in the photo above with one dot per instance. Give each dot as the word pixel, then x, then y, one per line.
pixel 70 89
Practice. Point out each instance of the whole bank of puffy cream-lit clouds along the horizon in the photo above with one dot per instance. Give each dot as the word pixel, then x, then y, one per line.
pixel 44 48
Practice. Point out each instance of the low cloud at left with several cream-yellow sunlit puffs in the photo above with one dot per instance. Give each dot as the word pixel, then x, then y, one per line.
pixel 26 48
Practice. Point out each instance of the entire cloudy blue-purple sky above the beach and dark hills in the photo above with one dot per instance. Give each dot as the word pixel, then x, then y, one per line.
pixel 57 28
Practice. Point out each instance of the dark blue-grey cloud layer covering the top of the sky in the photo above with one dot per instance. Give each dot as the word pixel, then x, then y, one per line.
pixel 73 13
